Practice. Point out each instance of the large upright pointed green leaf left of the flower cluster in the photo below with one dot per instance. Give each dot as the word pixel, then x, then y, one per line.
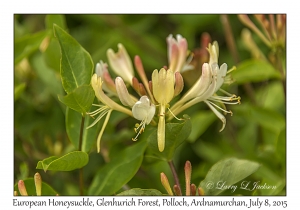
pixel 76 63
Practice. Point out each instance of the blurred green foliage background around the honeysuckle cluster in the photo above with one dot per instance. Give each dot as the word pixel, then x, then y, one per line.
pixel 256 131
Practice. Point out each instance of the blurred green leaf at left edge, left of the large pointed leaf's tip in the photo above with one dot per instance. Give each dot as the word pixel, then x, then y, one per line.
pixel 26 45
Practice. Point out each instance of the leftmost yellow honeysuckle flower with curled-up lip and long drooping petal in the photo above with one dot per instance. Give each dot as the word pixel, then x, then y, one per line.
pixel 108 106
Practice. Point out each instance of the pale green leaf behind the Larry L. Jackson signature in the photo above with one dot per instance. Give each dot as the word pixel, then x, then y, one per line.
pixel 227 172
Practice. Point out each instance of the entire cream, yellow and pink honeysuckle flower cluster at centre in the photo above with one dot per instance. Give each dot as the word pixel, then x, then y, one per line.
pixel 154 96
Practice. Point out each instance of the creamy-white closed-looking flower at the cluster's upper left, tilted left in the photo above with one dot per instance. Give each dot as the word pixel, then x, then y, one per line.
pixel 121 63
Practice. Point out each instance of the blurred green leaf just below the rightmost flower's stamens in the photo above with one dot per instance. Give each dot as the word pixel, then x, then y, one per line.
pixel 200 122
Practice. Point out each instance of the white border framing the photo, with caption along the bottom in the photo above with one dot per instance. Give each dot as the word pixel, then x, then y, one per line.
pixel 152 7
